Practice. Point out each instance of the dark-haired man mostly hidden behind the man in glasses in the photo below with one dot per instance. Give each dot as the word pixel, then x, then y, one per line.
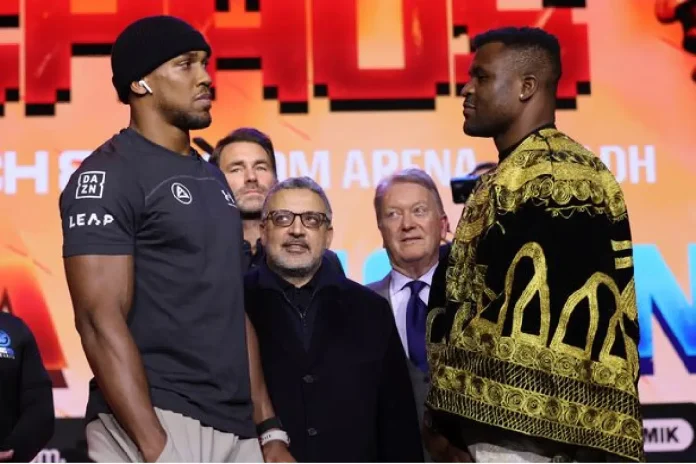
pixel 247 158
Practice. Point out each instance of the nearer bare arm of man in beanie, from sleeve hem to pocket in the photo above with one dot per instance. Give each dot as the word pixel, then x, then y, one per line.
pixel 101 288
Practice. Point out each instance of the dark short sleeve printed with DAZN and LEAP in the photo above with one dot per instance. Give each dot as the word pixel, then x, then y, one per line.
pixel 99 208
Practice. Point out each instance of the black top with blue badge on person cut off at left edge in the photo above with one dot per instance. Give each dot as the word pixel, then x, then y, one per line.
pixel 26 395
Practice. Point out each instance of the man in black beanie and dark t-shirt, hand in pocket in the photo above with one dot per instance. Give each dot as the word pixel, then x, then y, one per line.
pixel 153 259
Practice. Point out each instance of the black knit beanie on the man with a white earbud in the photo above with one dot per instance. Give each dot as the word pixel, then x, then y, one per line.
pixel 148 43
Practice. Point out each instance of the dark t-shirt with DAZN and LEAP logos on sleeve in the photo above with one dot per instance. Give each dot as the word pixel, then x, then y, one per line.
pixel 176 215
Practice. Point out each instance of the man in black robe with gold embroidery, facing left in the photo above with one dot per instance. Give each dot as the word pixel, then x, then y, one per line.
pixel 533 352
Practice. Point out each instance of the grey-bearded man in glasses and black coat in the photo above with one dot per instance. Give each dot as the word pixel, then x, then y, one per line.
pixel 332 357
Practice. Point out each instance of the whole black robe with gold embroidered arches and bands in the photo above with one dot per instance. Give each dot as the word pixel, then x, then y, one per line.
pixel 538 333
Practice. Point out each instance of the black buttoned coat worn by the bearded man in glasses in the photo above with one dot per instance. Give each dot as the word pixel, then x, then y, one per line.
pixel 348 398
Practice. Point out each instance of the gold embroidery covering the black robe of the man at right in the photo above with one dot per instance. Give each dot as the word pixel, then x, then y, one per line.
pixel 536 383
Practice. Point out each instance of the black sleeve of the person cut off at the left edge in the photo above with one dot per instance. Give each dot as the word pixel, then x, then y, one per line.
pixel 36 416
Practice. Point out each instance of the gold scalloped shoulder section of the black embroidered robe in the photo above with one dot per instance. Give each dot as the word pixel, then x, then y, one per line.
pixel 553 171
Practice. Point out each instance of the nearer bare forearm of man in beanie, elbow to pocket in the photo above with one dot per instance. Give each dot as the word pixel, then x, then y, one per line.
pixel 119 372
